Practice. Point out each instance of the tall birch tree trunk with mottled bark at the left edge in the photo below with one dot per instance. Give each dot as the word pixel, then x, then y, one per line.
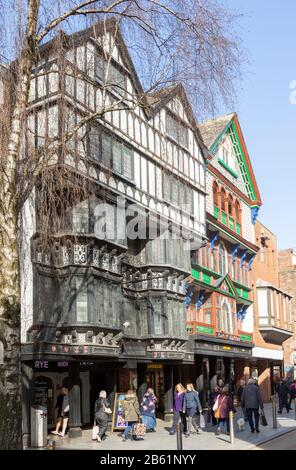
pixel 10 369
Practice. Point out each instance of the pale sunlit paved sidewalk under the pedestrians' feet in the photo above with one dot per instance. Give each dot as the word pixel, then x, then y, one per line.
pixel 206 440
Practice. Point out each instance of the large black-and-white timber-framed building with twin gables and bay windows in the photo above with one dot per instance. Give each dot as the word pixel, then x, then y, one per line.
pixel 107 312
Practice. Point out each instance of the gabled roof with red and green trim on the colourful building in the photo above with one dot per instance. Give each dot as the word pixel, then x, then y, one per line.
pixel 212 133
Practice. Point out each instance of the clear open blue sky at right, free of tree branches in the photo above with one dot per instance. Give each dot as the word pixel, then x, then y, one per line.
pixel 266 115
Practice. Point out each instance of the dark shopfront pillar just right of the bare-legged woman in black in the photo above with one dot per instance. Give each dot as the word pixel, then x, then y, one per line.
pixel 74 400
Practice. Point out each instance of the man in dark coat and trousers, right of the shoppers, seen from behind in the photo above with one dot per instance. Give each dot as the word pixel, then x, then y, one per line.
pixel 252 401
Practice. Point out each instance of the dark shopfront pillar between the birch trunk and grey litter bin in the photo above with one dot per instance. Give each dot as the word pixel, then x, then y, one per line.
pixel 27 400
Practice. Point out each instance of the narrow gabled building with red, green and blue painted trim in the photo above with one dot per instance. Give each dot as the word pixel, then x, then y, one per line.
pixel 219 312
